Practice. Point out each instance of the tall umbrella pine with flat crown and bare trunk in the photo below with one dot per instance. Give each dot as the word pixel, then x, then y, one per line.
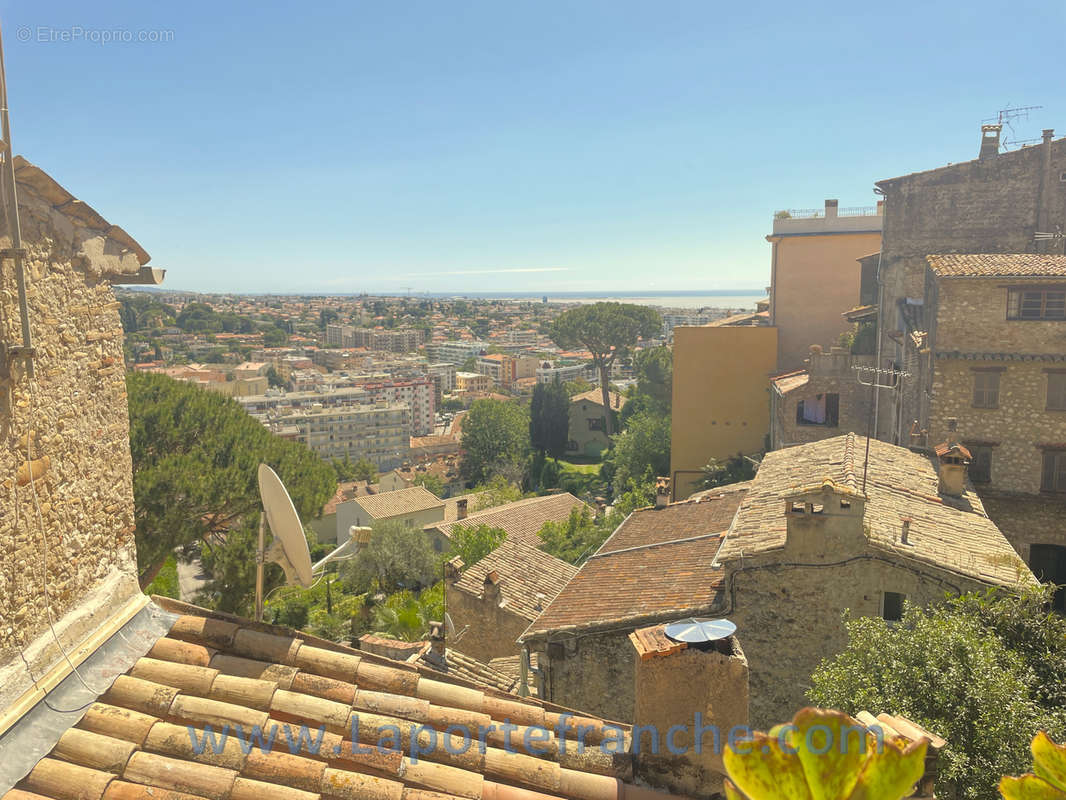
pixel 607 331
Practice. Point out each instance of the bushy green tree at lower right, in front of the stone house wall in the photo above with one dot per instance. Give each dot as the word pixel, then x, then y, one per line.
pixel 984 671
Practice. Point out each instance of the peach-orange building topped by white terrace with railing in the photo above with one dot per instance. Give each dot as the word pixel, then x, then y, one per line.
pixel 815 275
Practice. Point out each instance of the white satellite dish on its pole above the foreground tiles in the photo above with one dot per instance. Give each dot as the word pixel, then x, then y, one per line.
pixel 289 547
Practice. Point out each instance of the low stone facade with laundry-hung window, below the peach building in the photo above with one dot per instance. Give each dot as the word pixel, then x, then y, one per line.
pixel 830 373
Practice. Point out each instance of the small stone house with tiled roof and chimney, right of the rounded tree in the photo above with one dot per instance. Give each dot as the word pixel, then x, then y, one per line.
pixel 495 600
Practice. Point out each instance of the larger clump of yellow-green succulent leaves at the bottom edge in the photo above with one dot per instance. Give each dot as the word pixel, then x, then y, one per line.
pixel 822 755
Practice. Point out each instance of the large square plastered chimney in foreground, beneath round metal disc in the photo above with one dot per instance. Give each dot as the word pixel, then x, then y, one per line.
pixel 673 683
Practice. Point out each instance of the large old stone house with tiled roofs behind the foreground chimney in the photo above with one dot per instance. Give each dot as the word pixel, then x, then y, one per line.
pixel 814 534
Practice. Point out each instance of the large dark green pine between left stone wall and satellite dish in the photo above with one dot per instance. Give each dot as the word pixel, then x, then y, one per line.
pixel 196 463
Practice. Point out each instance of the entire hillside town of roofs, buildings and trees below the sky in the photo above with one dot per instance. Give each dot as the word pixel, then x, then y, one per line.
pixel 437 546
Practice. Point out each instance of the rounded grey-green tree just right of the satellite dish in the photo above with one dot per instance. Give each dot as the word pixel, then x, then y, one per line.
pixel 398 557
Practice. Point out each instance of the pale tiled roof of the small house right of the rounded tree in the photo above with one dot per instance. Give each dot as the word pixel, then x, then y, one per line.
pixel 525 572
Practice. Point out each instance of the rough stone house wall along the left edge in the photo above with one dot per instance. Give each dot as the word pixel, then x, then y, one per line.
pixel 73 527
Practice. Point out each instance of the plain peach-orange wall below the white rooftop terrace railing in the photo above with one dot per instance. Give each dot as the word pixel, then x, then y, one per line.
pixel 816 279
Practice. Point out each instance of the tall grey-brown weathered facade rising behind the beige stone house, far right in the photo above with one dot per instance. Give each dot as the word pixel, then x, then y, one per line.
pixel 989 205
